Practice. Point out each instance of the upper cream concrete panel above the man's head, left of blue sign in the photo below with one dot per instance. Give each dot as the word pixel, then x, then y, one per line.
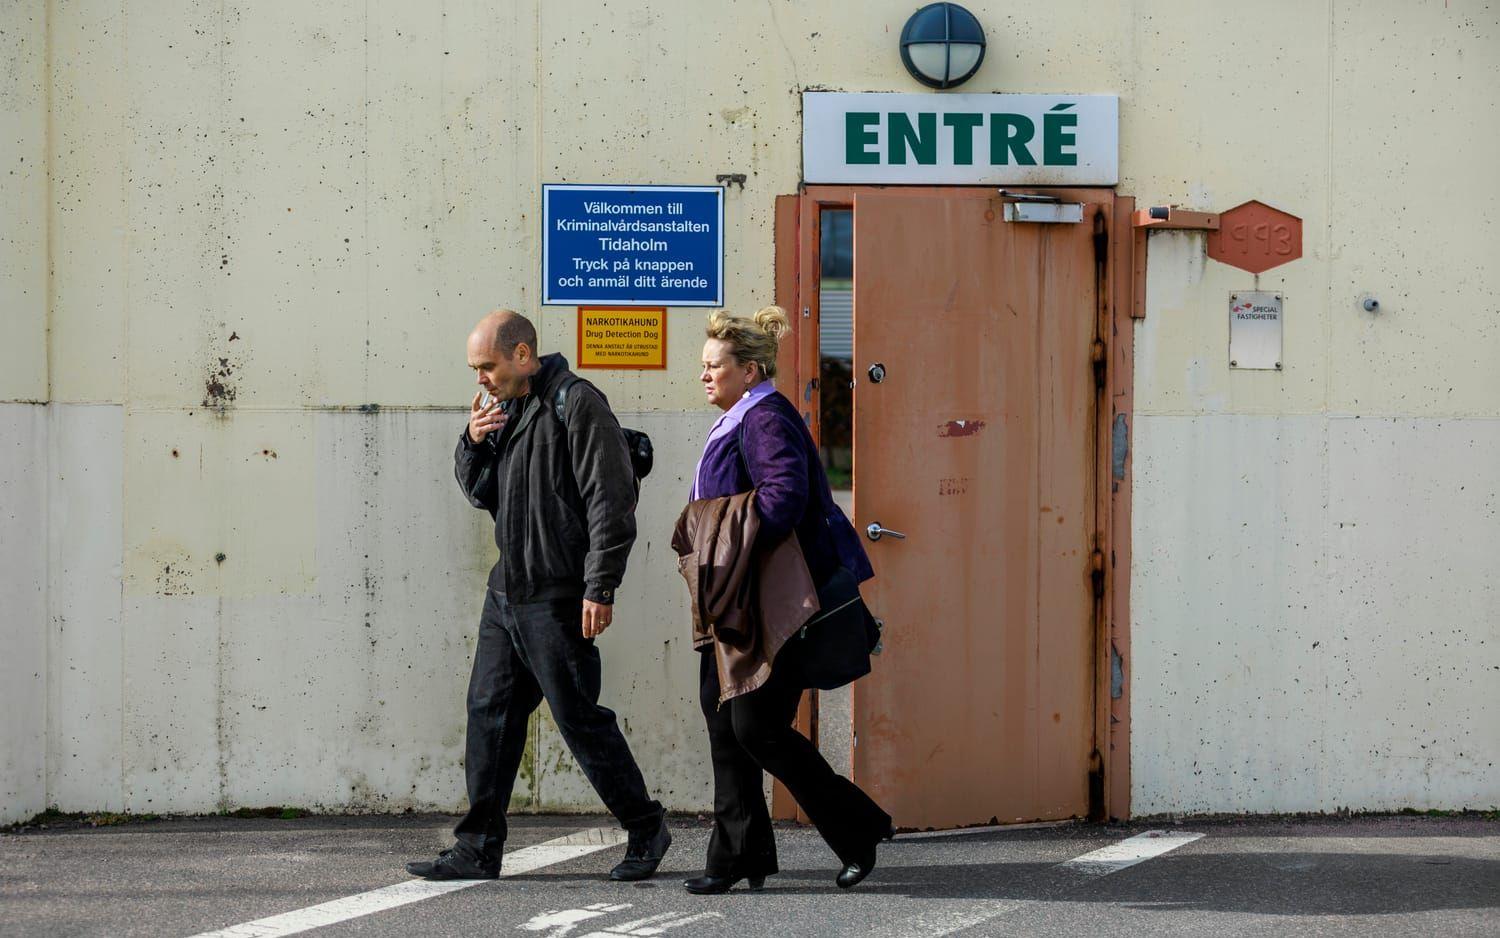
pixel 454 116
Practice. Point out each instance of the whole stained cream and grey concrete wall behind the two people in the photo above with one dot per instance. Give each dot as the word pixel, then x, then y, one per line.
pixel 269 229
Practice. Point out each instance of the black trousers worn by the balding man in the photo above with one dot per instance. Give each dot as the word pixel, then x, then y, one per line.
pixel 529 654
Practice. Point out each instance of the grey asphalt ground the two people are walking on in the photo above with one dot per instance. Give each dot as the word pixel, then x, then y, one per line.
pixel 185 877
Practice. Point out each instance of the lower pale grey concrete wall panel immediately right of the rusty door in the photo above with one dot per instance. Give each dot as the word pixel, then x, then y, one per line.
pixel 1228 589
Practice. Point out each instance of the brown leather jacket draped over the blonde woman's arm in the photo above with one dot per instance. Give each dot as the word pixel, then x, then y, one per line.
pixel 746 603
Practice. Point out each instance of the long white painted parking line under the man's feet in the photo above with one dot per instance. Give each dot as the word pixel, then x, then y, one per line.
pixel 524 861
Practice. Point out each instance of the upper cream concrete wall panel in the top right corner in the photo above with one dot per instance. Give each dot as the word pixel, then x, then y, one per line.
pixel 1415 131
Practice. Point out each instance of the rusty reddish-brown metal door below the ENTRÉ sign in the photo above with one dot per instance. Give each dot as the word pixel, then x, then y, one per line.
pixel 977 443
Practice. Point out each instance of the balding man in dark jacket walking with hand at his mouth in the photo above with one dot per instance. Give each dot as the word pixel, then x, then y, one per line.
pixel 563 496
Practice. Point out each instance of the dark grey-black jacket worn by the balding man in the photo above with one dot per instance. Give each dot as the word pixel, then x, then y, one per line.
pixel 562 492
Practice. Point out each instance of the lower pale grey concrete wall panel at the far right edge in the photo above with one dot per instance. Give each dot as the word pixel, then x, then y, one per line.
pixel 1414 531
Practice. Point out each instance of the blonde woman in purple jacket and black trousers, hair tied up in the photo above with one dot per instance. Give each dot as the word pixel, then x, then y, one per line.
pixel 763 445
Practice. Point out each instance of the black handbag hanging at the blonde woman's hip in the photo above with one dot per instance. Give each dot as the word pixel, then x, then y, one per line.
pixel 833 648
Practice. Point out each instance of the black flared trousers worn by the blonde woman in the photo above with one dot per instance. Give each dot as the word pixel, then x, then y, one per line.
pixel 754 733
